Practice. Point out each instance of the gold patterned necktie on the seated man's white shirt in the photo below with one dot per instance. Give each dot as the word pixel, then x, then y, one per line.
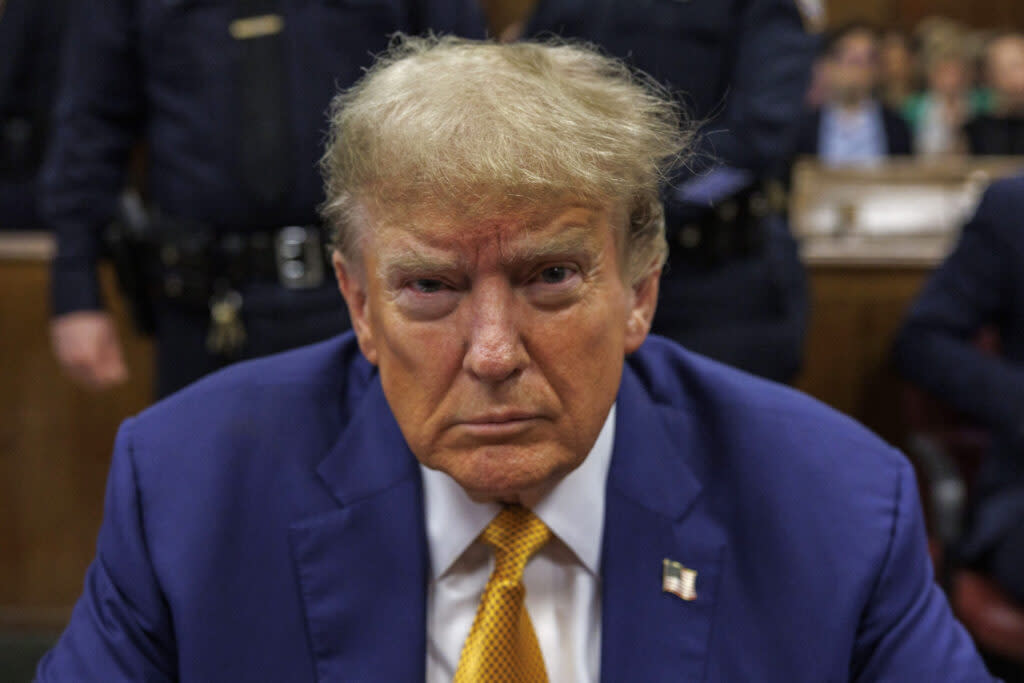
pixel 502 647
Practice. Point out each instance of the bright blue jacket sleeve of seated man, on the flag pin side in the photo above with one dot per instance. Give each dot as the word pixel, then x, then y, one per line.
pixel 908 631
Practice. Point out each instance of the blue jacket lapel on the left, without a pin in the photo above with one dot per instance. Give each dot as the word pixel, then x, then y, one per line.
pixel 363 568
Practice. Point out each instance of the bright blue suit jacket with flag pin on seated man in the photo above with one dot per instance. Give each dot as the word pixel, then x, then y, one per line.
pixel 267 525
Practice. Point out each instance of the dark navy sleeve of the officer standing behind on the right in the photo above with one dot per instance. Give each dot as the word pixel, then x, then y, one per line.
pixel 771 75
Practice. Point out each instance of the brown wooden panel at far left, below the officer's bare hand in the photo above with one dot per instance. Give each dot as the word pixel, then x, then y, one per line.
pixel 56 442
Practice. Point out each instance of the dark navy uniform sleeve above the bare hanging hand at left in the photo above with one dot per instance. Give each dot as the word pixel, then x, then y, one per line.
pixel 99 114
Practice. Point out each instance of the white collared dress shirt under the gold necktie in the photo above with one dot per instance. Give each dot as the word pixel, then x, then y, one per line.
pixel 564 587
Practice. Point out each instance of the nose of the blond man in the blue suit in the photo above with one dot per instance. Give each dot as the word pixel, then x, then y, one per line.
pixel 495 351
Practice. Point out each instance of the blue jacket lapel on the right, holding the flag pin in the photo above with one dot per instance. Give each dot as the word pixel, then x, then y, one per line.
pixel 654 513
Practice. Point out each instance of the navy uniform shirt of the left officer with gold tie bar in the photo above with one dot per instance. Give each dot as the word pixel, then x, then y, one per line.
pixel 165 71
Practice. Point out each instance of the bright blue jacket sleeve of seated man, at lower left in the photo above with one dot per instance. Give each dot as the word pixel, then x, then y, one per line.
pixel 120 630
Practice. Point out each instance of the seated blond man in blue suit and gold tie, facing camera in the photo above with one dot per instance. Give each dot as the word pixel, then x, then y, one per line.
pixel 498 477
